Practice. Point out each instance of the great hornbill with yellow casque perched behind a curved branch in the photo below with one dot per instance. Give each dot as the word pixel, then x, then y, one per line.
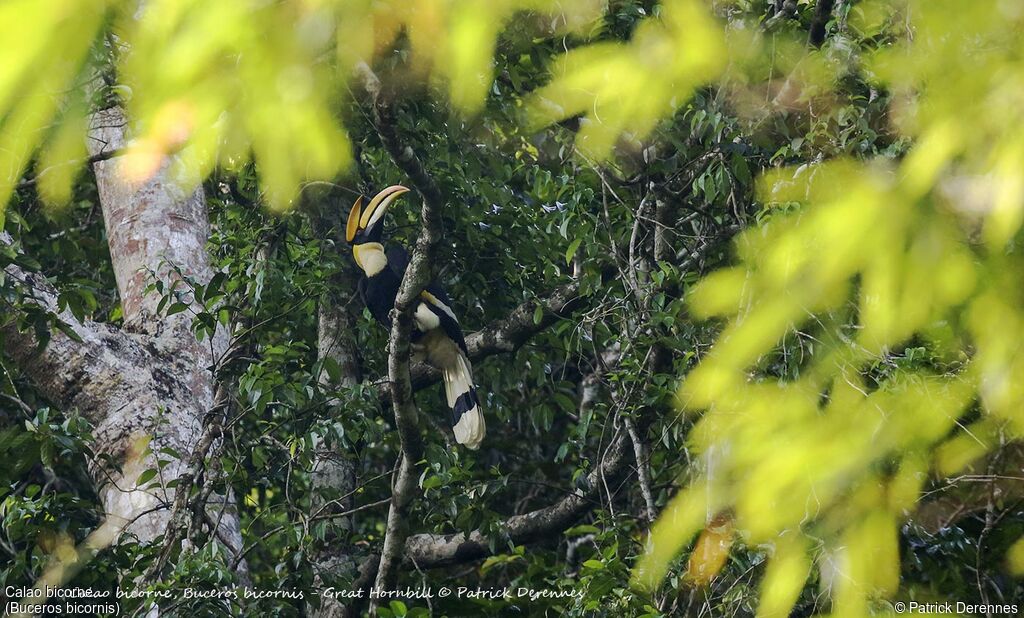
pixel 437 335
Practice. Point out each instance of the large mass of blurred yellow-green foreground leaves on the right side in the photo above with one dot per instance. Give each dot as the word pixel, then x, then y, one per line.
pixel 874 256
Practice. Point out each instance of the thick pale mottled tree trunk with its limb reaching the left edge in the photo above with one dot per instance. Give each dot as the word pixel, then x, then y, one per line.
pixel 145 387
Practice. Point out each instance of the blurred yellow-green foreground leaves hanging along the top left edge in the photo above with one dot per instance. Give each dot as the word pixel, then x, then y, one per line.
pixel 220 82
